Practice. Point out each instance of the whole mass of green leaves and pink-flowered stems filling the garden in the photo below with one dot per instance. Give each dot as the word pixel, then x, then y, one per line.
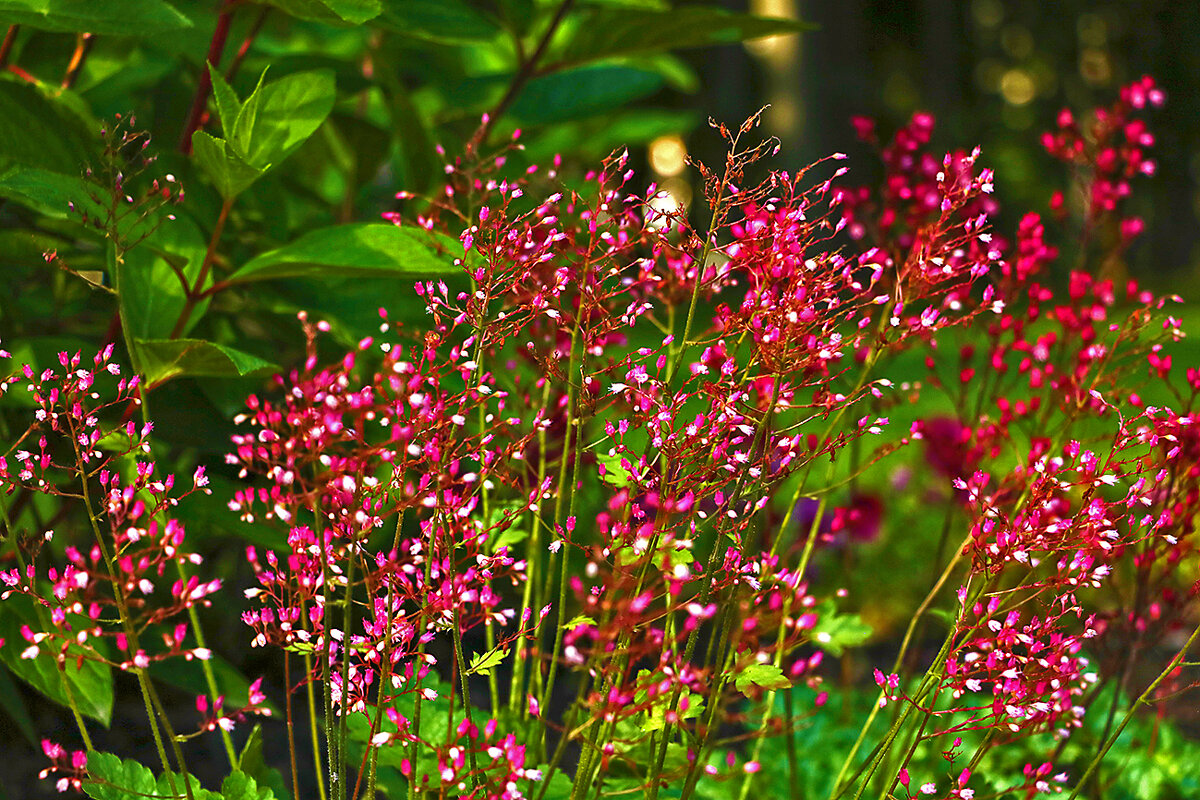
pixel 591 512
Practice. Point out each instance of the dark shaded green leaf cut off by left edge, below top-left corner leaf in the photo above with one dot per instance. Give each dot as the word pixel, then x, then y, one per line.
pixel 37 131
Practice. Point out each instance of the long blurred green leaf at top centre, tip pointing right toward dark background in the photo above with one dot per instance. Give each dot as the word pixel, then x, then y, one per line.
pixel 599 33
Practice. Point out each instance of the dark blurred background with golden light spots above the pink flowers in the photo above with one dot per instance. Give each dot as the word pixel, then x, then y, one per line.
pixel 994 74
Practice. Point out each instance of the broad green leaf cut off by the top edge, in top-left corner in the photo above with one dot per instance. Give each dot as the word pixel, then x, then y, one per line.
pixel 103 17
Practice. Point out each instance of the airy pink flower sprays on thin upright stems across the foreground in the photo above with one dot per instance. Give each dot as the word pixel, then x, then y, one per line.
pixel 578 531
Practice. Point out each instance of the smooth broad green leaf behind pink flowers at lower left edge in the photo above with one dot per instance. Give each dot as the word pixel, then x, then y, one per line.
pixel 92 684
